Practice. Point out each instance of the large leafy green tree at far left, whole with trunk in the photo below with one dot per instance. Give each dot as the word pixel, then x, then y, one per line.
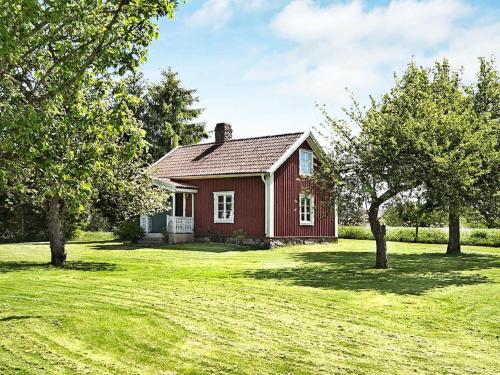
pixel 63 124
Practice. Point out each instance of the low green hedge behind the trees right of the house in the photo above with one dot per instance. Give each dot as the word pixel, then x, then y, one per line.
pixel 476 237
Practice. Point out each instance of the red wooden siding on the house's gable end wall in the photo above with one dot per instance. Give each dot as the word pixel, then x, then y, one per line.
pixel 287 188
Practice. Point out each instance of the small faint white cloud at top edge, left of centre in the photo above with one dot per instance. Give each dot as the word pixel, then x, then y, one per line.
pixel 217 13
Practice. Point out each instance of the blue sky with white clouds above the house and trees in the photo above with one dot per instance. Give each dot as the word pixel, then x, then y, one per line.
pixel 263 66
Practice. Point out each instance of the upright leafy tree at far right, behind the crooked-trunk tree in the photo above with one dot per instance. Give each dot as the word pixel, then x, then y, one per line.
pixel 460 148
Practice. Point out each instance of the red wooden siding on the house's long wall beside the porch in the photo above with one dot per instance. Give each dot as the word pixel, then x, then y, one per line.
pixel 249 211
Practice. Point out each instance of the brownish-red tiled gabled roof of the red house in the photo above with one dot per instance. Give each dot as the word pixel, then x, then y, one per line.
pixel 236 156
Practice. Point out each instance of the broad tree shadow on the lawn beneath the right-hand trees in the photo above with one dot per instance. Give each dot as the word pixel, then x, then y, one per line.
pixel 409 273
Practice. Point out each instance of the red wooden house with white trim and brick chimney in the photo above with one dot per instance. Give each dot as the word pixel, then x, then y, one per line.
pixel 241 187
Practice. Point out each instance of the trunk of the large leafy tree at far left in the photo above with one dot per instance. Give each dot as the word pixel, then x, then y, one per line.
pixel 56 233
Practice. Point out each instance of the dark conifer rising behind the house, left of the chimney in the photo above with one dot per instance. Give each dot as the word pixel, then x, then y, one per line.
pixel 167 113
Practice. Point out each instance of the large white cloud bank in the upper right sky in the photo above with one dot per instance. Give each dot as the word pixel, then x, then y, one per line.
pixel 347 45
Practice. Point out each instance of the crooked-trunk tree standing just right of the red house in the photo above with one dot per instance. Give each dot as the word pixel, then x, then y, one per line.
pixel 375 154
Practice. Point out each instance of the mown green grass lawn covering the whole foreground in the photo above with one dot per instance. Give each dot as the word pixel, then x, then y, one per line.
pixel 210 309
